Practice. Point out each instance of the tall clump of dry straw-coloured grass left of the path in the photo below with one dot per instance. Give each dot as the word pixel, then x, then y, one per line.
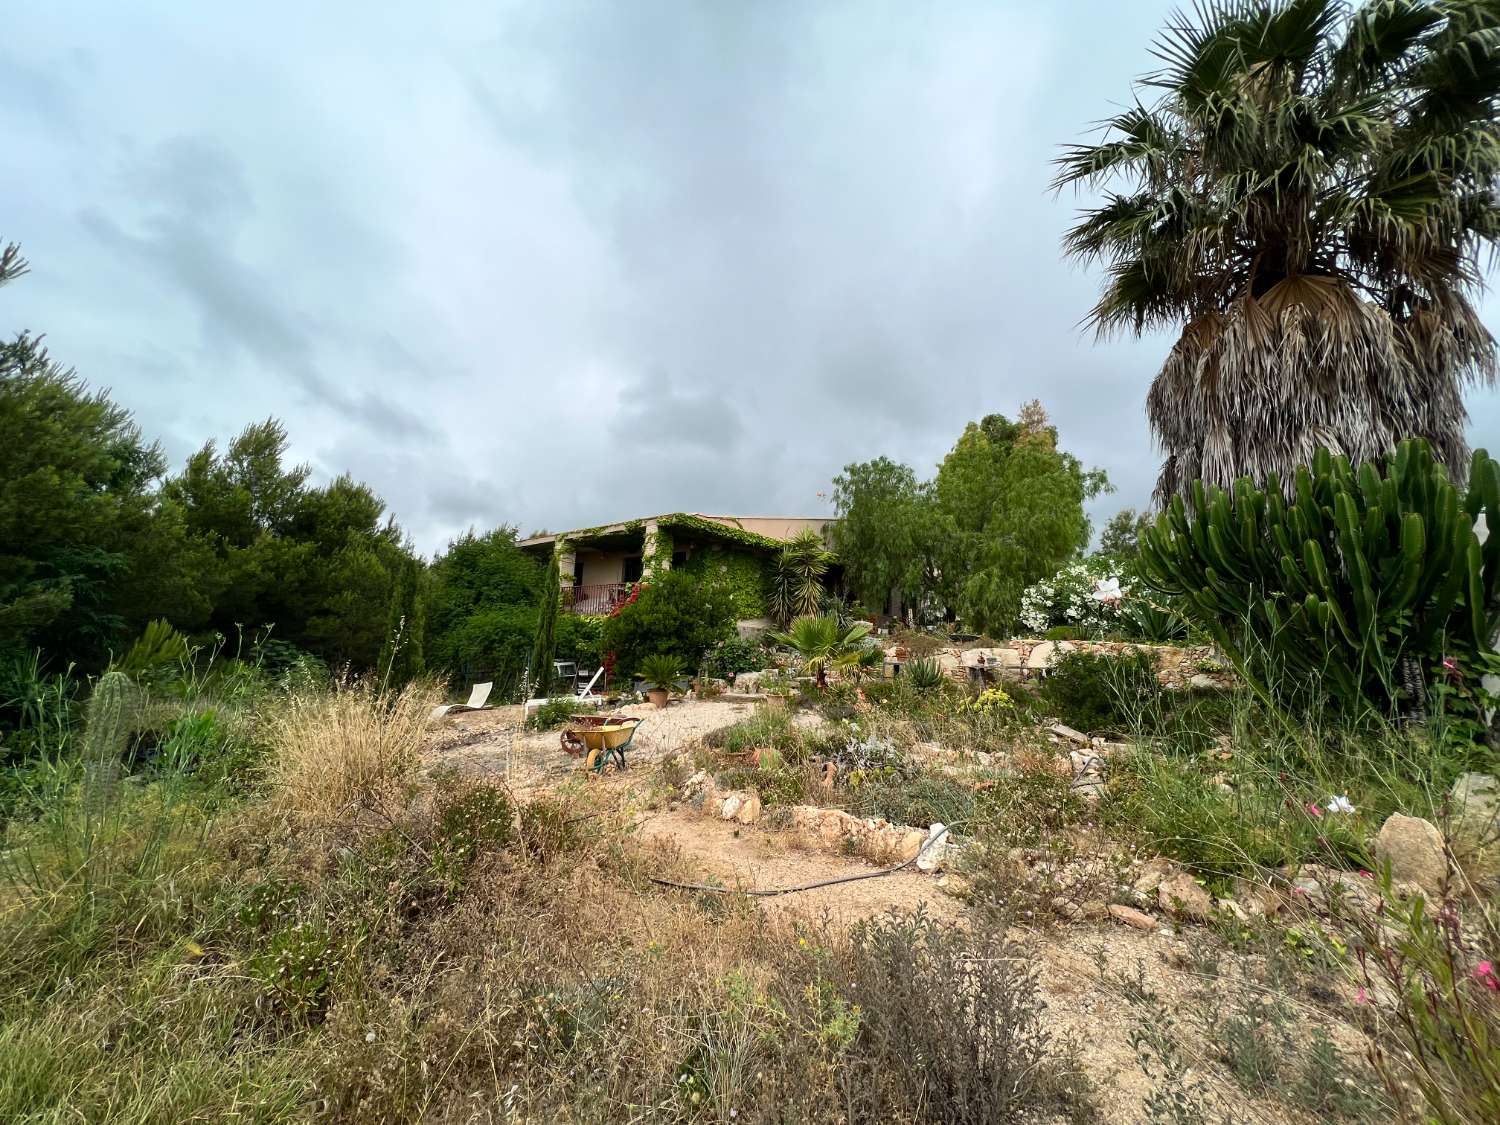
pixel 349 749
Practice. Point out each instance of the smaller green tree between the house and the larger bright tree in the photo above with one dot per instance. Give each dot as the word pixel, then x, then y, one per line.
pixel 884 536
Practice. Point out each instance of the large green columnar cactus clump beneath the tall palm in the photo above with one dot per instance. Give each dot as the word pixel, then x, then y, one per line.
pixel 1345 580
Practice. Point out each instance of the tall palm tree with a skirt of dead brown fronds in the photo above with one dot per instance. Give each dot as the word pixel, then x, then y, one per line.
pixel 1307 196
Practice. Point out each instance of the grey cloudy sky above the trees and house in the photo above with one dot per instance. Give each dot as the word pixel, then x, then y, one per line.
pixel 560 263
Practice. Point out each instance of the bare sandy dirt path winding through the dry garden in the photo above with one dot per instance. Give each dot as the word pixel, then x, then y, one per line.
pixel 1081 1006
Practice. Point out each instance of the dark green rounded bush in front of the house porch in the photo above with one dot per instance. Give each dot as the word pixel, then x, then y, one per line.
pixel 677 614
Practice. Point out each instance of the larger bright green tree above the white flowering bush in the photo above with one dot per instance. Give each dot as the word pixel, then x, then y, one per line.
pixel 1009 509
